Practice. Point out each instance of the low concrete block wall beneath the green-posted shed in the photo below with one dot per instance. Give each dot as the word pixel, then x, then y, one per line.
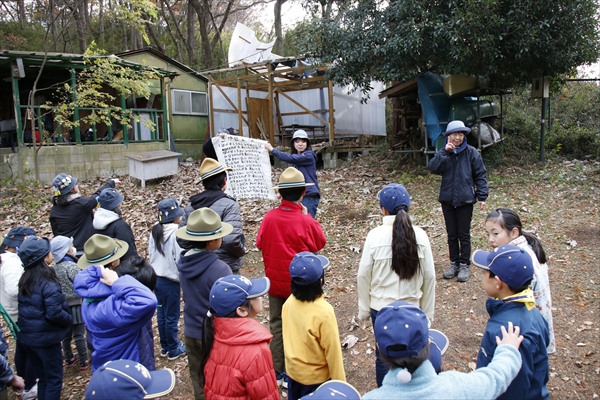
pixel 89 161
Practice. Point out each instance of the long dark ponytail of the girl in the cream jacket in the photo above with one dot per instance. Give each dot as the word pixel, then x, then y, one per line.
pixel 405 253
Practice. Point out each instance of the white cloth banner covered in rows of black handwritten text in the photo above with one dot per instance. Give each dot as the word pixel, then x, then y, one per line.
pixel 251 175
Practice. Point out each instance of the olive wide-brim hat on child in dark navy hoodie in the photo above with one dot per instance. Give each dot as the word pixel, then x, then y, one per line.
pixel 203 225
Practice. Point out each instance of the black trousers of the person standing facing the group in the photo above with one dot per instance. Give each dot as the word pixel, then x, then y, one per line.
pixel 458 227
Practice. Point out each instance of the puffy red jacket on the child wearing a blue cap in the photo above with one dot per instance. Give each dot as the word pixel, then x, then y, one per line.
pixel 240 365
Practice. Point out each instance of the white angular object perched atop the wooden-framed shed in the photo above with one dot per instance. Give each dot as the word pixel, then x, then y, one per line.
pixel 245 47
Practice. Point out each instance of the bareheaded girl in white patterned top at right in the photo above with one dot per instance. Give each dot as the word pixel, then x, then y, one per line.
pixel 503 226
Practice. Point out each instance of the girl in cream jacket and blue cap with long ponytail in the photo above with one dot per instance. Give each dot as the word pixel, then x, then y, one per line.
pixel 396 263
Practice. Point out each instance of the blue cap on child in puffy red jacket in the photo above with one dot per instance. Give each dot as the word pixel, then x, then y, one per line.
pixel 230 292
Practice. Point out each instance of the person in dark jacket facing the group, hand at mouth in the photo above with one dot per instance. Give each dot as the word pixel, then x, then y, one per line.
pixel 464 182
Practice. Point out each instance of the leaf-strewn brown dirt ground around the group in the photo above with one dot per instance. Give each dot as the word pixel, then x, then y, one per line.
pixel 559 201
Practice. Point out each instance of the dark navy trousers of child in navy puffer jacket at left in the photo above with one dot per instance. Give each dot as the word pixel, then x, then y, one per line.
pixel 47 364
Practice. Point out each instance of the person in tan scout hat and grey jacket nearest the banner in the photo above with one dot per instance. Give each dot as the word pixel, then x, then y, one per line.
pixel 214 180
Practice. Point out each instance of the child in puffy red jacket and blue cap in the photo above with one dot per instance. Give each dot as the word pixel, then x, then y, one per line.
pixel 236 360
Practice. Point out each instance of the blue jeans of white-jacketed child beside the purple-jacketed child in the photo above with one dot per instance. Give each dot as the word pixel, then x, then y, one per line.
pixel 167 312
